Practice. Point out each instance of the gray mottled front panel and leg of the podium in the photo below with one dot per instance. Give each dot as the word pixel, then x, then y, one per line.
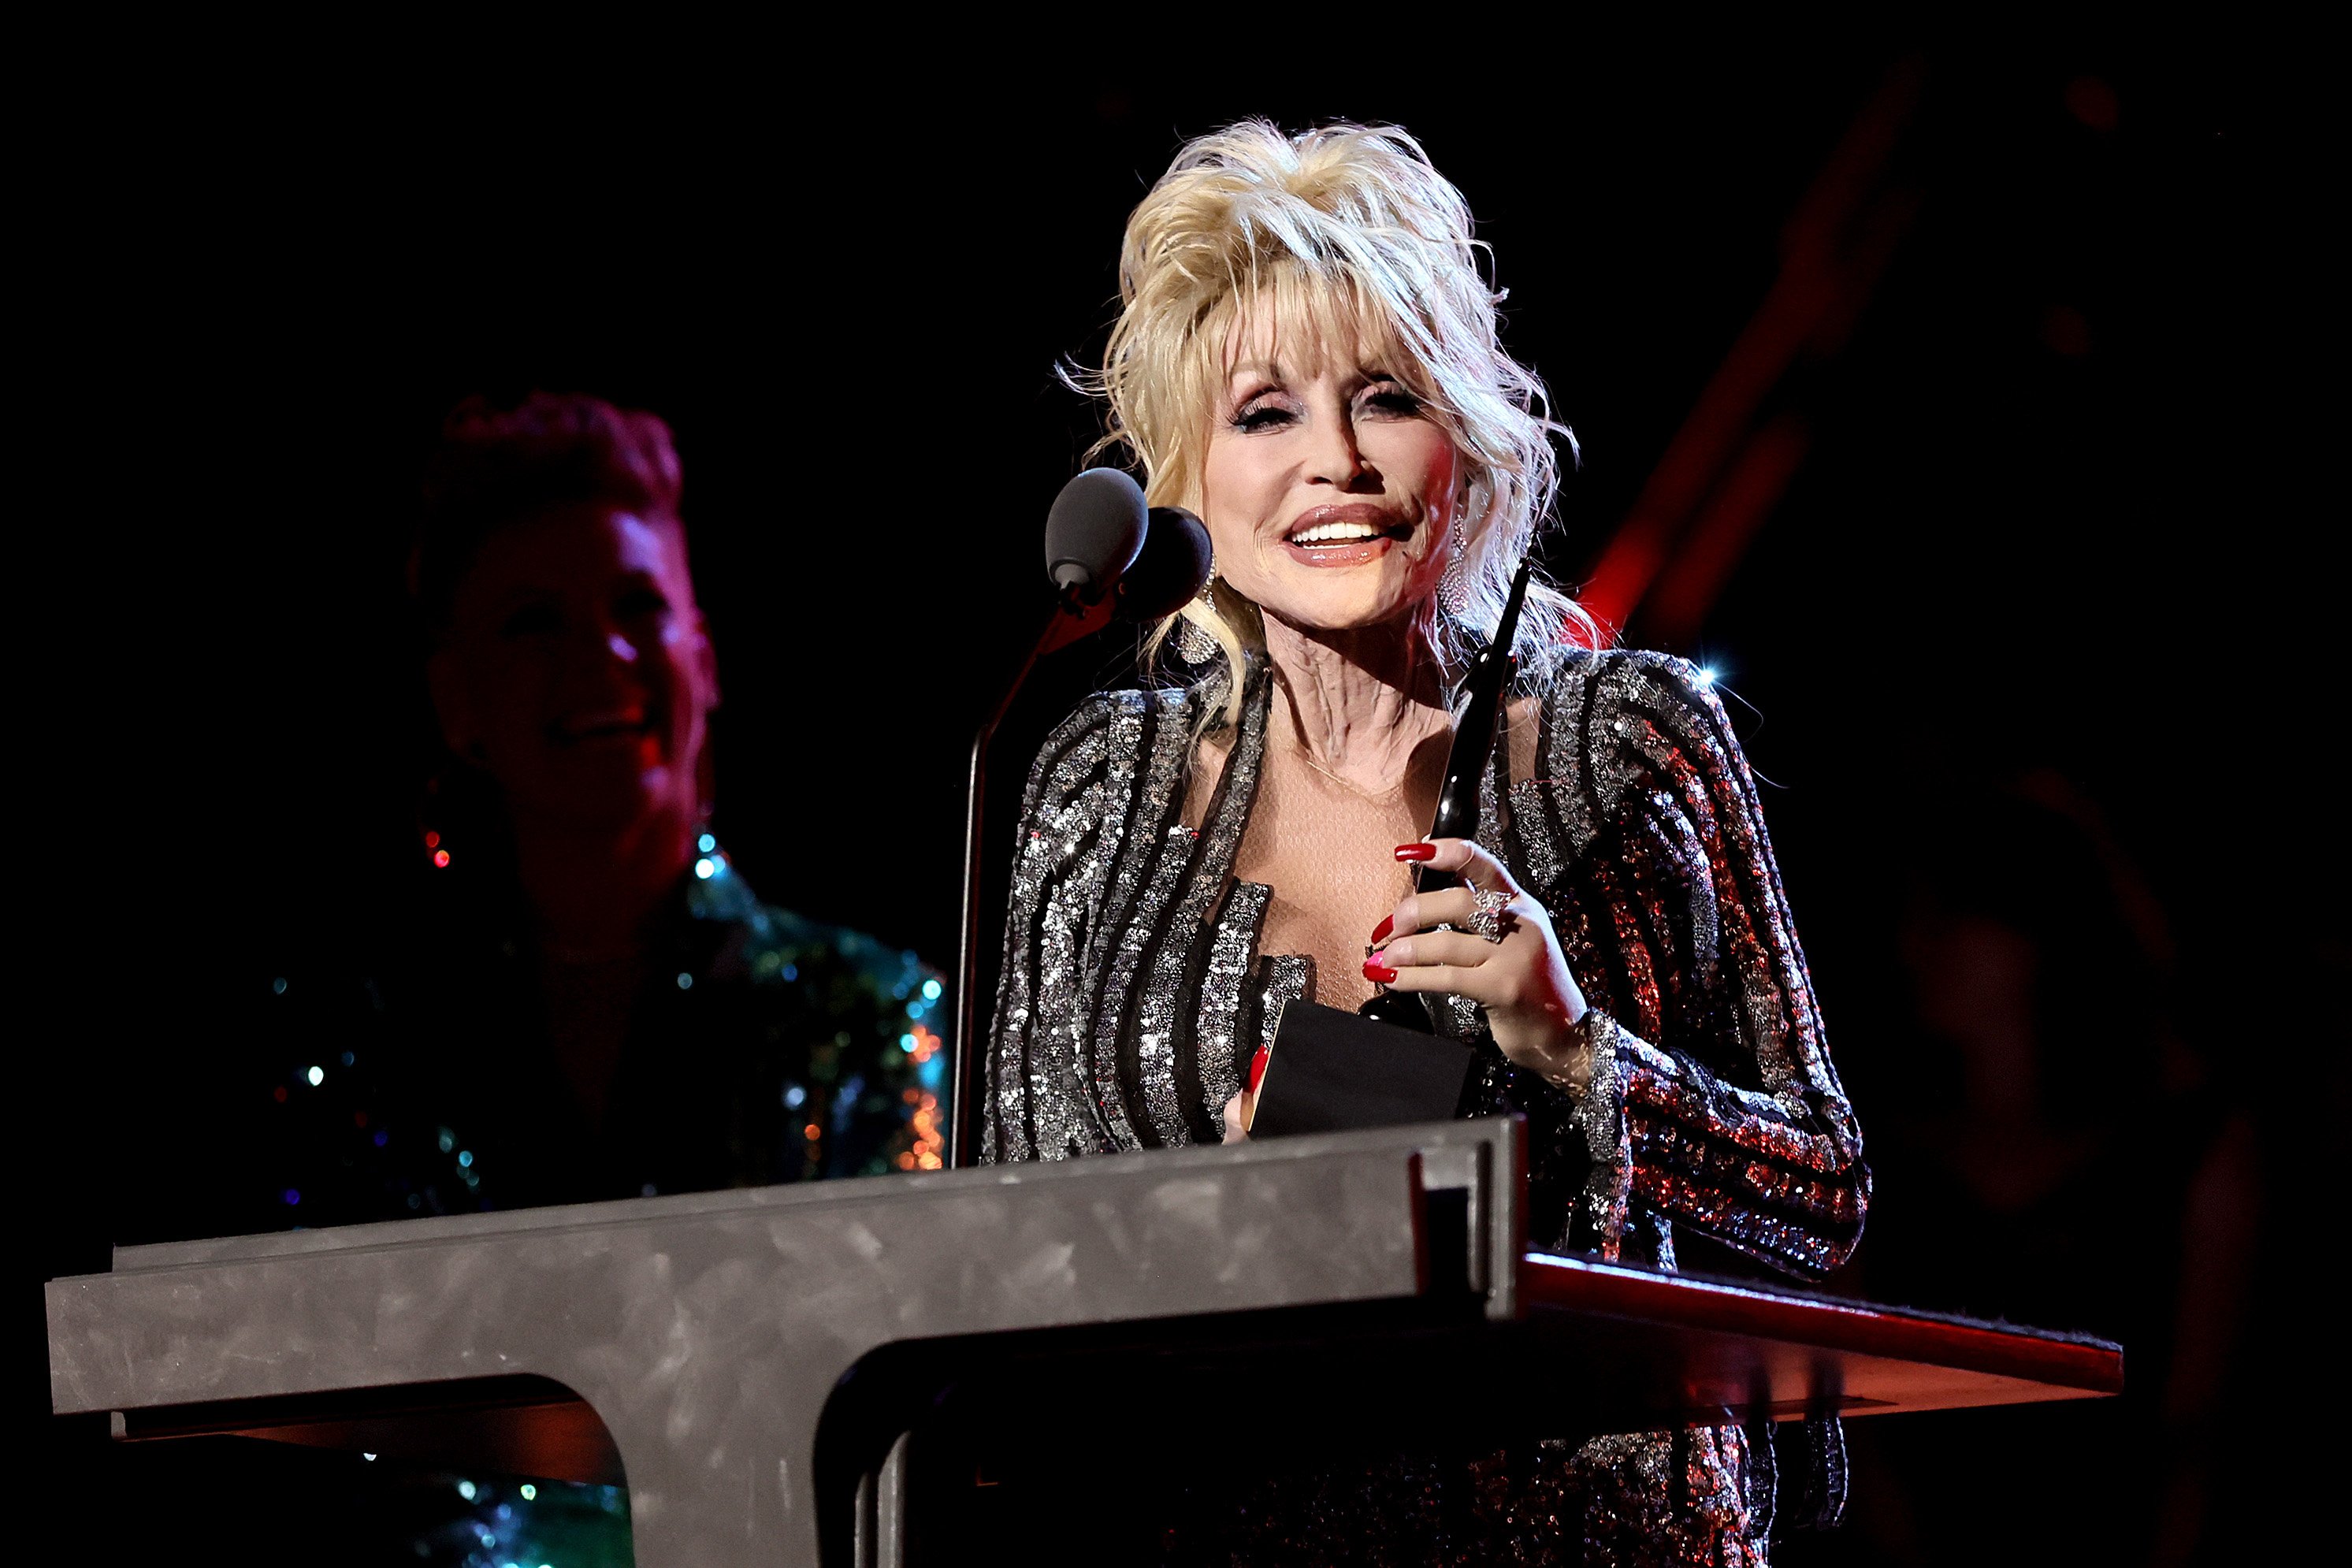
pixel 709 1332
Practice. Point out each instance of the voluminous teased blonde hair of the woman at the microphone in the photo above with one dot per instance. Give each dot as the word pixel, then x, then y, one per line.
pixel 1342 229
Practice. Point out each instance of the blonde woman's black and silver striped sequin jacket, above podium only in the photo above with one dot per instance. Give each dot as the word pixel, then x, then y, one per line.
pixel 1135 989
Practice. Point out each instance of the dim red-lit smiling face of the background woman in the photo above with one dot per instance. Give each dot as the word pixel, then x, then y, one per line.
pixel 577 671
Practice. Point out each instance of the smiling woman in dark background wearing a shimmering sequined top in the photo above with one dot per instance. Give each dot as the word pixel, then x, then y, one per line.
pixel 587 1000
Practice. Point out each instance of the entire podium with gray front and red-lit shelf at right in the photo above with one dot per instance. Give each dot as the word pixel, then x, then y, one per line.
pixel 770 1369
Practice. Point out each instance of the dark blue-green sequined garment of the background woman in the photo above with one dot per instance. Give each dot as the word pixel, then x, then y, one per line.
pixel 763 1047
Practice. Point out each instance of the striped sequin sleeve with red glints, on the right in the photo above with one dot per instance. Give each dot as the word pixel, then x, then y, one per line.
pixel 1713 1099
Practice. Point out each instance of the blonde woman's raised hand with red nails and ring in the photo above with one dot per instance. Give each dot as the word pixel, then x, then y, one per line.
pixel 1523 981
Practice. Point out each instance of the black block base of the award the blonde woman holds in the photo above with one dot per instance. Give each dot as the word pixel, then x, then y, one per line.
pixel 1332 1071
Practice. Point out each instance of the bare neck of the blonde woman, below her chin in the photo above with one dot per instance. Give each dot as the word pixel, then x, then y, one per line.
pixel 1361 702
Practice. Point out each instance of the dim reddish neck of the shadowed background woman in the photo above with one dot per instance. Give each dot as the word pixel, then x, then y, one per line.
pixel 599 894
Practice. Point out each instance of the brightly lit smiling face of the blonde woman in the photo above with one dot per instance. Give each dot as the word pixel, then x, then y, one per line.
pixel 1328 490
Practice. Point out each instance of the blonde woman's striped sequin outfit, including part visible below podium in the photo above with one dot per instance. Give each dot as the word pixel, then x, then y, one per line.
pixel 1713 1106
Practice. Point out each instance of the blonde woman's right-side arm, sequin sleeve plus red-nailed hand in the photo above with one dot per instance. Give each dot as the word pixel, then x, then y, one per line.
pixel 1650 1012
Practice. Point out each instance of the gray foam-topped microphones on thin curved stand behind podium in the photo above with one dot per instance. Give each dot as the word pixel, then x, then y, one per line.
pixel 1107 556
